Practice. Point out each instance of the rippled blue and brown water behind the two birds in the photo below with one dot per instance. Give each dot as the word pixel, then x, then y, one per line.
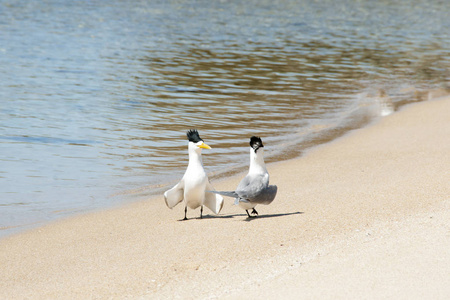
pixel 96 97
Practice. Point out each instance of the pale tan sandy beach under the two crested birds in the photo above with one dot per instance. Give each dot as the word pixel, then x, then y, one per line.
pixel 365 216
